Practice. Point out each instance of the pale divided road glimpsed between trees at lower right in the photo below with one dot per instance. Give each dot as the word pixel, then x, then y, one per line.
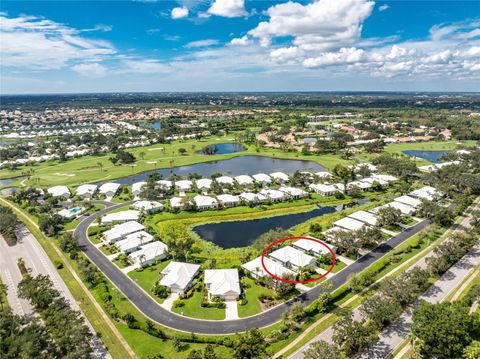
pixel 394 335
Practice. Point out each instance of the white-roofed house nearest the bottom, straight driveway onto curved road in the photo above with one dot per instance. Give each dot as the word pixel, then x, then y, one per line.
pixel 222 283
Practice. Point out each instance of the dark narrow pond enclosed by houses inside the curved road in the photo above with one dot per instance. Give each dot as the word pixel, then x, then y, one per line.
pixel 243 233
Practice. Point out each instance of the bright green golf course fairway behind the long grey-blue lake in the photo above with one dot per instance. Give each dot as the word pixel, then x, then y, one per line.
pixel 90 169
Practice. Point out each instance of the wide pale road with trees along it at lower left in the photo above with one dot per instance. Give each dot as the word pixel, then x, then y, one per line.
pixel 37 262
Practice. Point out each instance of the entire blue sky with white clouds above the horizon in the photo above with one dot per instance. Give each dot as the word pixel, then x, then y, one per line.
pixel 237 45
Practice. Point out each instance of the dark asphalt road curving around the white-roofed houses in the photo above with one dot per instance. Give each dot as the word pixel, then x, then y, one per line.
pixel 150 308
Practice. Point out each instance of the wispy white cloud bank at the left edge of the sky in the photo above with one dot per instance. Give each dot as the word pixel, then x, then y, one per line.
pixel 35 43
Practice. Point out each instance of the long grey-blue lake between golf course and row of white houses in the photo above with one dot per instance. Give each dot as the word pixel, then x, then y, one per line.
pixel 248 165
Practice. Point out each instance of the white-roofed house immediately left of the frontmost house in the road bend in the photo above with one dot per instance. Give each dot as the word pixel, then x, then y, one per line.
pixel 178 276
